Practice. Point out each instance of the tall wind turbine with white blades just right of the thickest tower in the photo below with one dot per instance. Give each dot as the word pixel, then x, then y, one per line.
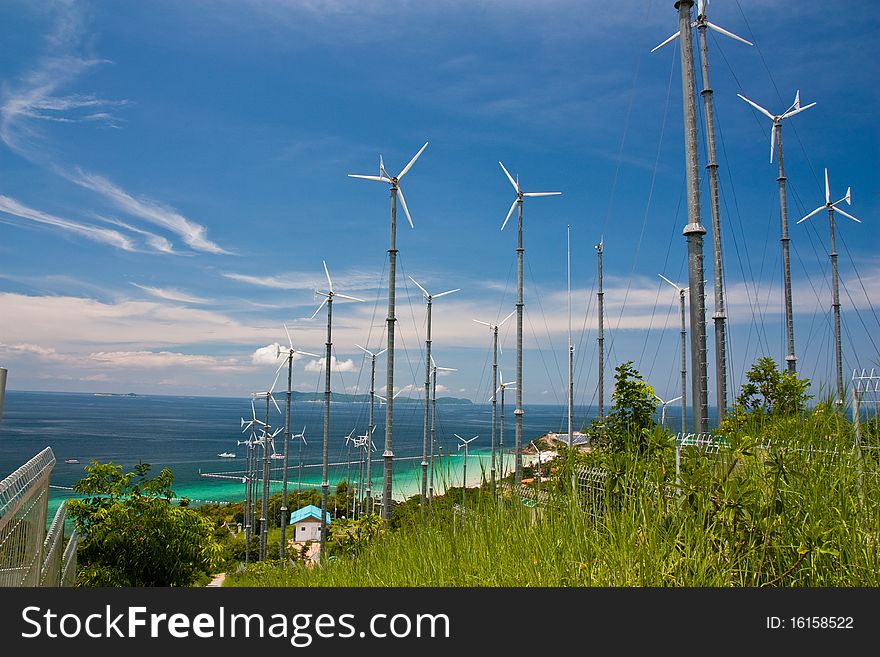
pixel 720 314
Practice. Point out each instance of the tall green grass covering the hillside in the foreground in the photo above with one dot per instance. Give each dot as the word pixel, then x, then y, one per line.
pixel 795 515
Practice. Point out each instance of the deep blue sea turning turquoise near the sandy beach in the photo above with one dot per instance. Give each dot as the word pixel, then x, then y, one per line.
pixel 187 434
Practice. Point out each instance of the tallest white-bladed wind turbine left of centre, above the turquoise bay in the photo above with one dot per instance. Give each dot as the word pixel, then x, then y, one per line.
pixel 396 193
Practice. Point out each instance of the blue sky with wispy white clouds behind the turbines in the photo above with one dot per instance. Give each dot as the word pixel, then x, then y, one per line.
pixel 173 174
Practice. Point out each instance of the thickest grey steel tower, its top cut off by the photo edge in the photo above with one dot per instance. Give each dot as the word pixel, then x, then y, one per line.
pixel 694 231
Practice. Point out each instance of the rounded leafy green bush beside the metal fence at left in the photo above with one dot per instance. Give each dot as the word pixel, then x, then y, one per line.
pixel 134 535
